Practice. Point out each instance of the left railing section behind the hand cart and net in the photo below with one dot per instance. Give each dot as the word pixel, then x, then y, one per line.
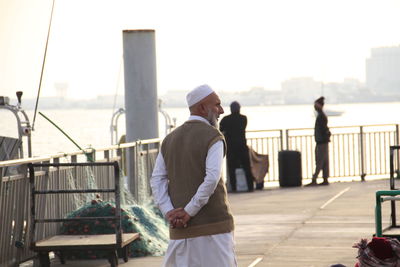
pixel 15 194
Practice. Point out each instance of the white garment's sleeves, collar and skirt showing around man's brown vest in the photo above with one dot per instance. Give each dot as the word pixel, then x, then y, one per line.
pixel 203 251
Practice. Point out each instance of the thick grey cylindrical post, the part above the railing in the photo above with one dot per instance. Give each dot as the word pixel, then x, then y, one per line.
pixel 140 85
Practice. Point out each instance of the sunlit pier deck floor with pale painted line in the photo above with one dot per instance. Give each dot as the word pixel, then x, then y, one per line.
pixel 299 226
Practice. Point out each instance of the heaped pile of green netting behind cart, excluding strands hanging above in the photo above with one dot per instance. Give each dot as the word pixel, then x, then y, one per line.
pixel 146 220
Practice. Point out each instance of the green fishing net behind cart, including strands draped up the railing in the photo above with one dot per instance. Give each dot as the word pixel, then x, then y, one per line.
pixel 145 219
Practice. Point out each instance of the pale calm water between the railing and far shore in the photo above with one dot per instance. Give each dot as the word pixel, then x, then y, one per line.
pixel 91 128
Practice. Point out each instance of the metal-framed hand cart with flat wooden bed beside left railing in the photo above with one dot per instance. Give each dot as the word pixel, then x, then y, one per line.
pixel 61 243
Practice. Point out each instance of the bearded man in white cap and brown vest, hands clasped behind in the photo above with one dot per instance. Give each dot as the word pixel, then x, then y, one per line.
pixel 189 190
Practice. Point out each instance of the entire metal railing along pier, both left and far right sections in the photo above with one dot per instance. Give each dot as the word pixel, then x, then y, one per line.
pixel 354 151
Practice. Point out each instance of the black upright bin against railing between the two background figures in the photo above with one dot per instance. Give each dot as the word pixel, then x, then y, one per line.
pixel 289 168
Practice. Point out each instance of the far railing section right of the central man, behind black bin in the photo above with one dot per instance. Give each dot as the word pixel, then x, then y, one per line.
pixel 353 151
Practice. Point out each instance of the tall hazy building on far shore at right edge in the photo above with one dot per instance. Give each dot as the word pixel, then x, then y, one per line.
pixel 383 70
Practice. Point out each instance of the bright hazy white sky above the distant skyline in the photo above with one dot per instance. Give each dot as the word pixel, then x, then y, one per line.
pixel 231 45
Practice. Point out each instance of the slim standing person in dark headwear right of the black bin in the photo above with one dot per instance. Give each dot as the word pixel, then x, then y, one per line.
pixel 322 138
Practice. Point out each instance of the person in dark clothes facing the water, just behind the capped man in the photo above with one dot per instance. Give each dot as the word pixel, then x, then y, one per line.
pixel 233 127
